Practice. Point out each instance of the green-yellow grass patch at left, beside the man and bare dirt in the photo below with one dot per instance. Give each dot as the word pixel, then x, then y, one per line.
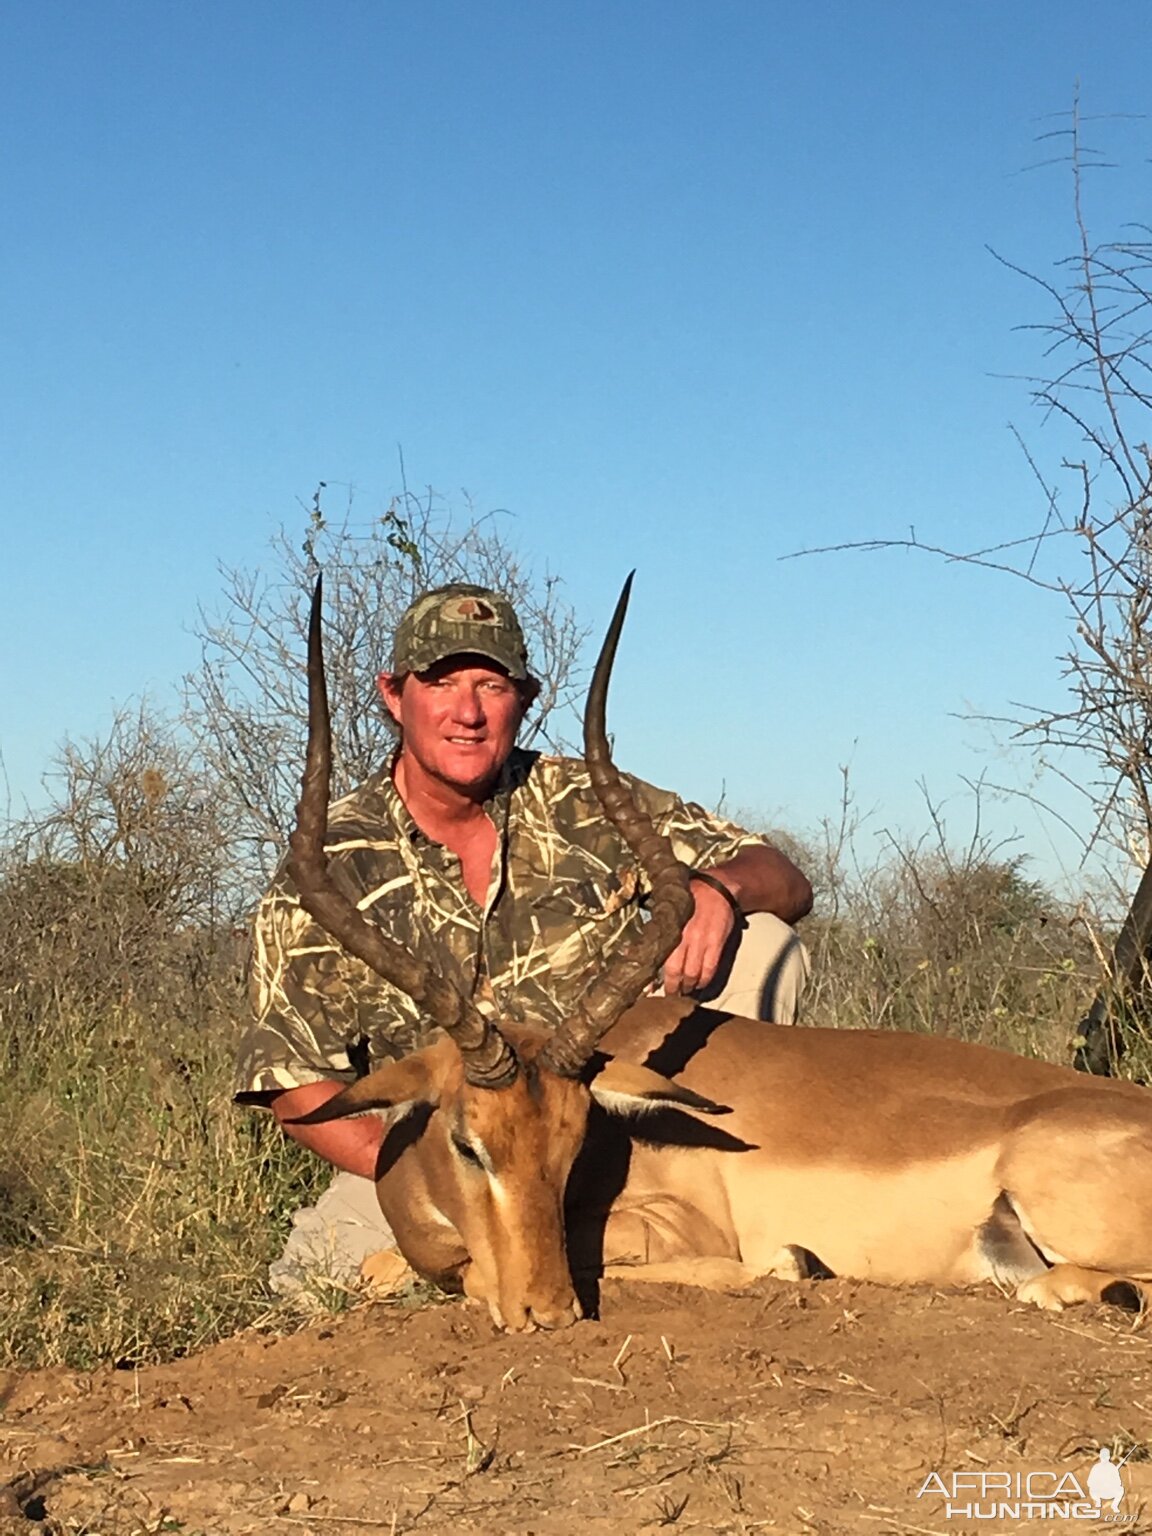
pixel 139 1208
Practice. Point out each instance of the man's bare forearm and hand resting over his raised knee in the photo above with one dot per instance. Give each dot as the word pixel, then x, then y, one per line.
pixel 758 879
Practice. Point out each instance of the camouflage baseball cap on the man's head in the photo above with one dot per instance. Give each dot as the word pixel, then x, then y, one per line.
pixel 455 621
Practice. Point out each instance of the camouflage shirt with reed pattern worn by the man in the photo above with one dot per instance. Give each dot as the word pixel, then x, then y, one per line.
pixel 563 895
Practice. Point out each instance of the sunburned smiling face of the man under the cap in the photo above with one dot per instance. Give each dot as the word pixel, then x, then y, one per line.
pixel 460 720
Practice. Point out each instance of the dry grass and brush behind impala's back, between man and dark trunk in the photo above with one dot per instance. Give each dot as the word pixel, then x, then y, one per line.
pixel 964 944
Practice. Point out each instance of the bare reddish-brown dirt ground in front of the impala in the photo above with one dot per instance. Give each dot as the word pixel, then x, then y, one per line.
pixel 801 1409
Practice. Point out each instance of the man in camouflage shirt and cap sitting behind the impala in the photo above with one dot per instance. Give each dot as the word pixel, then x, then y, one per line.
pixel 495 864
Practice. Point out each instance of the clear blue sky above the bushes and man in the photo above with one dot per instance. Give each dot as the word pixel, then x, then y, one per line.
pixel 684 286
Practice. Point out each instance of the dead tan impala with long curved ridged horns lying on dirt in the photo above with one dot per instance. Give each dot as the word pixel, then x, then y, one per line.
pixel 657 1139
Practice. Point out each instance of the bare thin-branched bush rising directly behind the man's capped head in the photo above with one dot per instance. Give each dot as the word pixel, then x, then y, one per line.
pixel 248 698
